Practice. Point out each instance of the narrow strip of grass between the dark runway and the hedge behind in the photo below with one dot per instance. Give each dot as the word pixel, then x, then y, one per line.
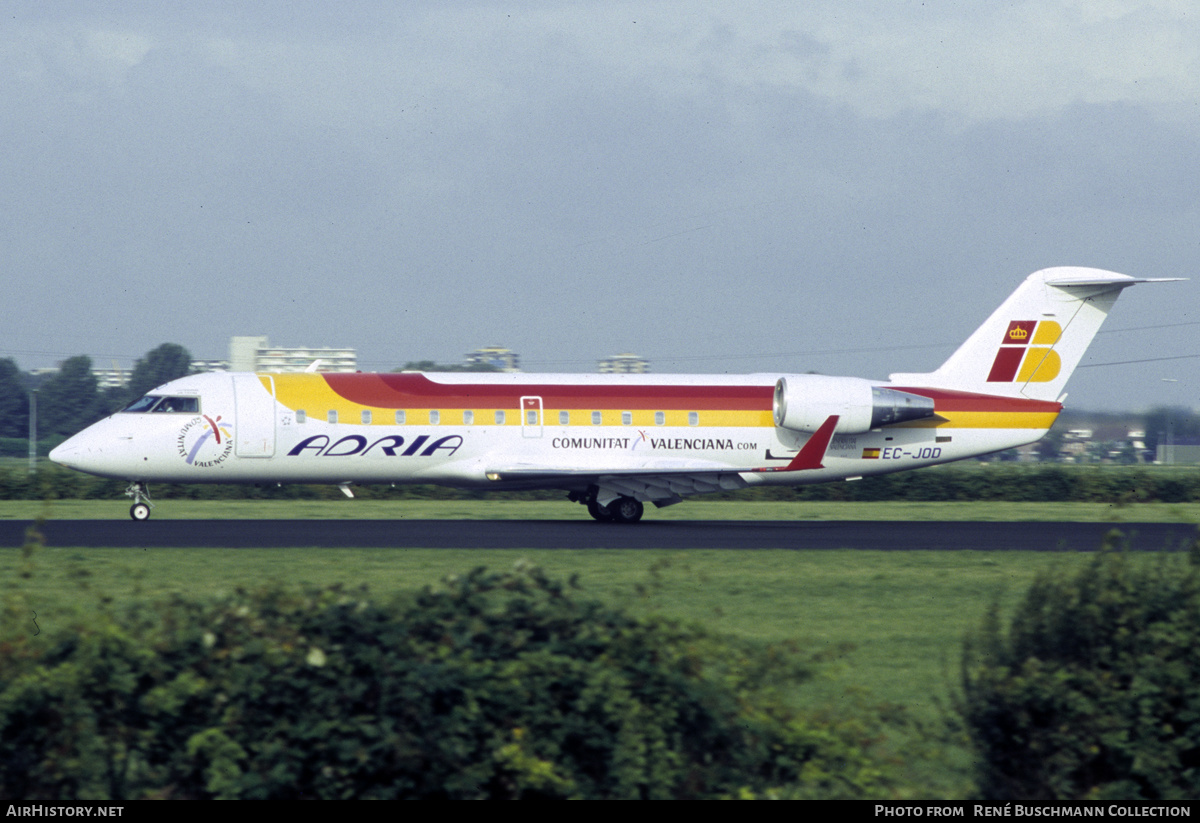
pixel 701 509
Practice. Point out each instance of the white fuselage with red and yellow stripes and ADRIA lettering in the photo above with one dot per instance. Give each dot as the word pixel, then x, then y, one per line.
pixel 245 434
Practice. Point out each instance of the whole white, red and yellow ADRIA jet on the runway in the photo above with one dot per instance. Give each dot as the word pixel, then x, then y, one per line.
pixel 613 442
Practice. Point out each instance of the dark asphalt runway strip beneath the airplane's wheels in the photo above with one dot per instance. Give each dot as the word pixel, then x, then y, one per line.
pixel 799 536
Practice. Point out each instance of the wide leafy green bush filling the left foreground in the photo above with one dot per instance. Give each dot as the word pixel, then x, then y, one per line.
pixel 502 686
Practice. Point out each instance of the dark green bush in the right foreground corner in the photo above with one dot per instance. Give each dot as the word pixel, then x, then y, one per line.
pixel 1091 694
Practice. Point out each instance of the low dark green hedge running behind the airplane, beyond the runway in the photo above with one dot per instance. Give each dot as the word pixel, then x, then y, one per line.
pixel 993 482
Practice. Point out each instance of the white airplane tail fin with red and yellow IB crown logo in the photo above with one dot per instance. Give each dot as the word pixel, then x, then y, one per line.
pixel 1031 345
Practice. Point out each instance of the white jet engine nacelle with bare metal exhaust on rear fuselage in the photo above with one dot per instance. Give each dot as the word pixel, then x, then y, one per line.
pixel 806 401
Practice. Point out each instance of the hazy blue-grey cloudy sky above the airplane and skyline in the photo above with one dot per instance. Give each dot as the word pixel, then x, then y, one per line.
pixel 848 188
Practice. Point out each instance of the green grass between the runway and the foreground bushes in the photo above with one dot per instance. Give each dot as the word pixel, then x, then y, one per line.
pixel 904 612
